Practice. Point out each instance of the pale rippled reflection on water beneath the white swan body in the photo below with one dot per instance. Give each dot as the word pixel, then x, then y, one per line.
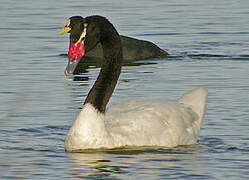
pixel 124 162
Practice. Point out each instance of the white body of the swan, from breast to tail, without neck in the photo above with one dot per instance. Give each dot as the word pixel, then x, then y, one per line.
pixel 140 123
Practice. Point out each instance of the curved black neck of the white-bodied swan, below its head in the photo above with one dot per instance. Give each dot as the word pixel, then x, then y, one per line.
pixel 105 84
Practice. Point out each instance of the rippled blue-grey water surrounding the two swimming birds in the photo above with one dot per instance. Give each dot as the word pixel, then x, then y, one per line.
pixel 208 41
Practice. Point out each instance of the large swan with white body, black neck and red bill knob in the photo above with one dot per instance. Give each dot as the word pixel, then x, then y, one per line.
pixel 137 123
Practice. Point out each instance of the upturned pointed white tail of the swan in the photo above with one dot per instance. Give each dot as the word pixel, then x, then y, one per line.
pixel 196 100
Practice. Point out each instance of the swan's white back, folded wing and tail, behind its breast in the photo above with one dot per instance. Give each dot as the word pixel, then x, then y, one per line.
pixel 157 123
